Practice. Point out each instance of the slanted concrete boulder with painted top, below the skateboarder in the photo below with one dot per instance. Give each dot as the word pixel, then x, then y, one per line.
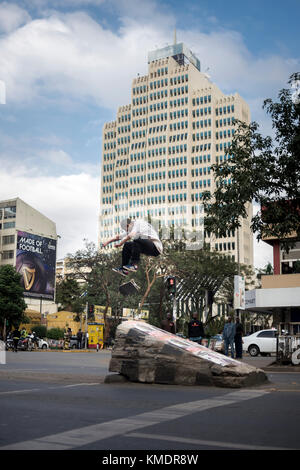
pixel 144 353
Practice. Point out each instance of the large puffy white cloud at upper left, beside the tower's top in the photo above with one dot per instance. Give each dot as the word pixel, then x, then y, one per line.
pixel 71 56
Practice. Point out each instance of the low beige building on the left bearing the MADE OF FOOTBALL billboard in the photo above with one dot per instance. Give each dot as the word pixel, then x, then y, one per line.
pixel 28 242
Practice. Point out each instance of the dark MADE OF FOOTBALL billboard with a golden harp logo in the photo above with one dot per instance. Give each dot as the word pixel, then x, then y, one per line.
pixel 36 262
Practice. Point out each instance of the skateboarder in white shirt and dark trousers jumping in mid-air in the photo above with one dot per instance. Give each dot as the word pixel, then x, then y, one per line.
pixel 137 237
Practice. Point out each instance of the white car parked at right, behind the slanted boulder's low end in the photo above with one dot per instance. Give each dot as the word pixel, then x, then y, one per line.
pixel 262 342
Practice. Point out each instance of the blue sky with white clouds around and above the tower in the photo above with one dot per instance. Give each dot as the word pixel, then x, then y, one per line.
pixel 57 60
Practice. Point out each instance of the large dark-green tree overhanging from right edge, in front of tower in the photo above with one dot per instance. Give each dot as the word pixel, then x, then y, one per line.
pixel 261 170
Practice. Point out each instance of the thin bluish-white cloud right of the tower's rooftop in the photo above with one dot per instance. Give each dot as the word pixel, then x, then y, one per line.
pixel 234 68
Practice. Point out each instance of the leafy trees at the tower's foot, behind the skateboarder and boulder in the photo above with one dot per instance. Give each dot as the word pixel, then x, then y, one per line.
pixel 196 271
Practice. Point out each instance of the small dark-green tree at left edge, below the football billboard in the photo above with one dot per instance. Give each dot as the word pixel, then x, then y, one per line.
pixel 12 304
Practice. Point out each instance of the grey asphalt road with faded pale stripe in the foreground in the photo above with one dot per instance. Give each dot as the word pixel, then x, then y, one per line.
pixel 59 401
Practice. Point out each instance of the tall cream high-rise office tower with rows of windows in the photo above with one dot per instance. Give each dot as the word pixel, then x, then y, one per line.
pixel 157 154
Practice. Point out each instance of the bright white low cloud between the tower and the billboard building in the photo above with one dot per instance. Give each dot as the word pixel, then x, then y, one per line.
pixel 69 201
